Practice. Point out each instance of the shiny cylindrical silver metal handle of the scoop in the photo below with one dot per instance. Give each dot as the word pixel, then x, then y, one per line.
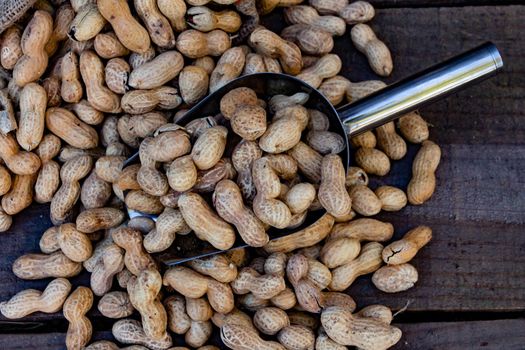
pixel 421 89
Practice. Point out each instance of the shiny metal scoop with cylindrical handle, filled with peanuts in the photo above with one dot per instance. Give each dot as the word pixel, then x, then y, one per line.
pixel 379 108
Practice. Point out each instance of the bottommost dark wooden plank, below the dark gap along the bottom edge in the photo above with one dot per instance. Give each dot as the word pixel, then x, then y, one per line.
pixel 487 335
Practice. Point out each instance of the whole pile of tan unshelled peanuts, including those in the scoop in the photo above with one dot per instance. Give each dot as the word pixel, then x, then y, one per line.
pixel 84 84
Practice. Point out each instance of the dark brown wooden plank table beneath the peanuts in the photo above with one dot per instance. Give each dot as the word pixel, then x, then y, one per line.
pixel 471 292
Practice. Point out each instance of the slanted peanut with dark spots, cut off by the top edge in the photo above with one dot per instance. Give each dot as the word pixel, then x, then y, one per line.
pixel 157 25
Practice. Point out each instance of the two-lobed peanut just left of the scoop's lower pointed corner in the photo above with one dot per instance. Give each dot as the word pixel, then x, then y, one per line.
pixel 135 258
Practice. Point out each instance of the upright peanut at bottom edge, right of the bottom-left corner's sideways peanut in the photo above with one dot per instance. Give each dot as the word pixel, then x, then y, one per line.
pixel 80 329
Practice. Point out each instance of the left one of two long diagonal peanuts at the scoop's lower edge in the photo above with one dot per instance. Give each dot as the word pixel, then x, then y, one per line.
pixel 204 222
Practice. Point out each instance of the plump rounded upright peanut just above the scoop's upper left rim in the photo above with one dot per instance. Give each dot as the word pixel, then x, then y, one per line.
pixel 193 84
